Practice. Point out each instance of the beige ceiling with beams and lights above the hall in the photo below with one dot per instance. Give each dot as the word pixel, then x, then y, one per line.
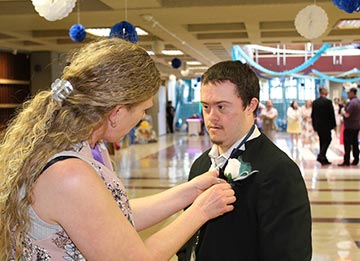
pixel 205 30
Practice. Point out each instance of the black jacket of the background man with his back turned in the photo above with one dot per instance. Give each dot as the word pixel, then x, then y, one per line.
pixel 322 115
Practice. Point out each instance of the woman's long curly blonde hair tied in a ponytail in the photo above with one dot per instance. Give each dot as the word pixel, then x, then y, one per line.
pixel 104 74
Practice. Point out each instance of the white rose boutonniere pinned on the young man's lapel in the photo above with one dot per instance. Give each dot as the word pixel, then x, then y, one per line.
pixel 236 169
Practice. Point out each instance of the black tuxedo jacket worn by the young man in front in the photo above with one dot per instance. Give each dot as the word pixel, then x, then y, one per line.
pixel 271 220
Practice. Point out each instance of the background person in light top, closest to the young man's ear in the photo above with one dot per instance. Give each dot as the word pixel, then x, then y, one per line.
pixel 268 116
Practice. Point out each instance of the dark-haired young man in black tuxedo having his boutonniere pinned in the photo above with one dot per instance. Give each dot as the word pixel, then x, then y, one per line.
pixel 271 219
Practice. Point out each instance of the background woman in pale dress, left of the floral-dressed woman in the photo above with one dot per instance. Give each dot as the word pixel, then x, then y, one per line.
pixel 294 123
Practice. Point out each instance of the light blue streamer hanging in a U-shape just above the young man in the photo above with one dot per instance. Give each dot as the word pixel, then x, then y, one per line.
pixel 237 52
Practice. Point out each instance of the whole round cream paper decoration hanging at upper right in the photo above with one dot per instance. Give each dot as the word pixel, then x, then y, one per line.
pixel 311 22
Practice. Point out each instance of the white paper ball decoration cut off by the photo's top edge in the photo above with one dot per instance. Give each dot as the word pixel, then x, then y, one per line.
pixel 53 10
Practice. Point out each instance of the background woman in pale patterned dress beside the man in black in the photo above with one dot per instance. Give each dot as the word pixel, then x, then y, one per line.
pixel 307 130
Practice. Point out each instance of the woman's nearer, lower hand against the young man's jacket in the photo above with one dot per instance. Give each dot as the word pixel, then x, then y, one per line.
pixel 216 201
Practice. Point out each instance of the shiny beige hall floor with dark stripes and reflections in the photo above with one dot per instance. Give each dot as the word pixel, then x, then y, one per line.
pixel 334 191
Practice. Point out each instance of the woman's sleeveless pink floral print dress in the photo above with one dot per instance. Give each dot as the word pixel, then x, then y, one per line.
pixel 50 242
